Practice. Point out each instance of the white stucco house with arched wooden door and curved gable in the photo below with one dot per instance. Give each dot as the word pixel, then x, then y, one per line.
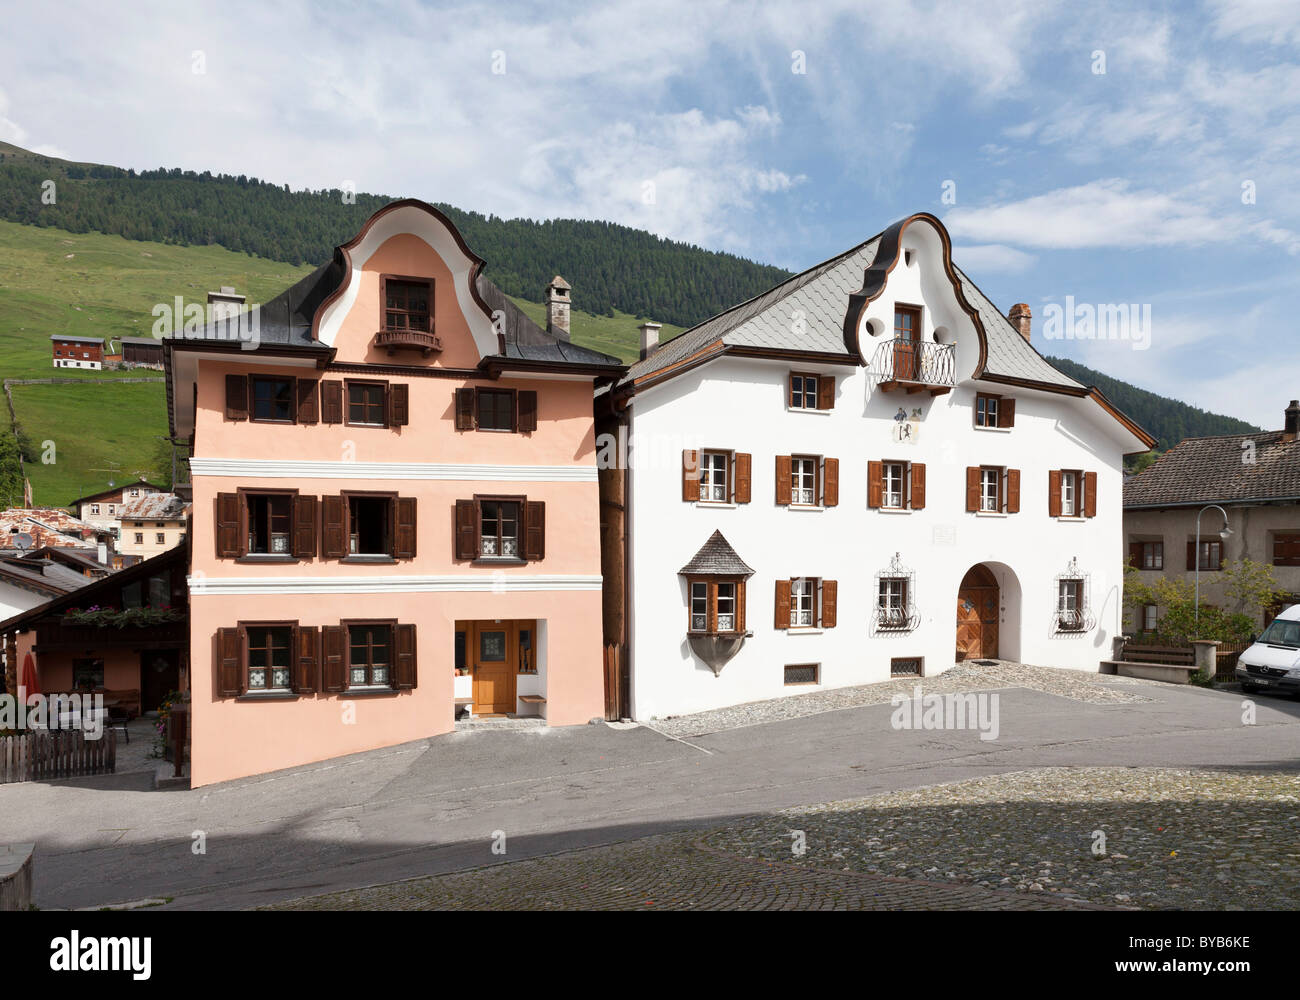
pixel 864 473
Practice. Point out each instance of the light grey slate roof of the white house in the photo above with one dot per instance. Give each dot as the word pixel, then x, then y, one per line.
pixel 820 298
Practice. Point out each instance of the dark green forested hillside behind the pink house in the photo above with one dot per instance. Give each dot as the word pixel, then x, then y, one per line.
pixel 610 267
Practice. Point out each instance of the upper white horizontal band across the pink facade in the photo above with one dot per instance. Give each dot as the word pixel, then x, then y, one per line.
pixel 274 469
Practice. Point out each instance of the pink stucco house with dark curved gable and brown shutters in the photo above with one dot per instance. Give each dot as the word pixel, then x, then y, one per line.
pixel 396 512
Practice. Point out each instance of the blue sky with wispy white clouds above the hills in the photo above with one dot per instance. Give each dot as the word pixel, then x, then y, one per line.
pixel 690 119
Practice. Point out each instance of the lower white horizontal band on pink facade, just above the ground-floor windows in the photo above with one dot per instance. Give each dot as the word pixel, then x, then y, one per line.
pixel 509 585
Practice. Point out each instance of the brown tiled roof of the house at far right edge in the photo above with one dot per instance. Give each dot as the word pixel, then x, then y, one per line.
pixel 1211 470
